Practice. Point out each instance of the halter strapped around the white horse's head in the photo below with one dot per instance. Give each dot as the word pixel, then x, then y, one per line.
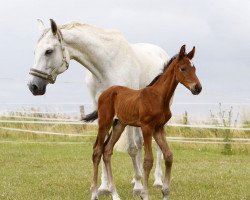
pixel 51 77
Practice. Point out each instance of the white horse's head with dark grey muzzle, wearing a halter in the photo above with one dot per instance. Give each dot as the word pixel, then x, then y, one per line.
pixel 51 59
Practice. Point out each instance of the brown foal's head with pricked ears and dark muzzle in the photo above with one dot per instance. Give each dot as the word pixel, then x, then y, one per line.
pixel 185 71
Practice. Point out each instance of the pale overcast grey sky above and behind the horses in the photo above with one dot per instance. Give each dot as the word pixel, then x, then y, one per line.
pixel 220 30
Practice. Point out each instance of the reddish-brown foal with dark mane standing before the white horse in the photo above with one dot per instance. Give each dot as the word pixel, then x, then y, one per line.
pixel 147 108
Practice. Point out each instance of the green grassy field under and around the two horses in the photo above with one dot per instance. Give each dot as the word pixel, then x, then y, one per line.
pixel 60 167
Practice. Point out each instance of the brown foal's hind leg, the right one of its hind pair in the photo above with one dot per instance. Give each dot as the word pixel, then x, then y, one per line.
pixel 108 151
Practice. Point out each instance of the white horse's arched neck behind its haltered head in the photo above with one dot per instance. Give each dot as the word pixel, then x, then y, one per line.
pixel 89 47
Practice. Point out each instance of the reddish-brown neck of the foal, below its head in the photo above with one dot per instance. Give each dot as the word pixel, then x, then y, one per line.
pixel 167 84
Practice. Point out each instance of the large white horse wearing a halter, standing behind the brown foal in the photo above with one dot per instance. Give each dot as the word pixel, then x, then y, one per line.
pixel 111 60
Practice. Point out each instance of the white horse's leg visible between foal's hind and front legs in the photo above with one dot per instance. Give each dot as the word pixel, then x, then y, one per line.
pixel 134 150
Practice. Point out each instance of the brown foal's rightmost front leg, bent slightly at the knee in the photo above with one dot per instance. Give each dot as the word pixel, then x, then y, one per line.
pixel 168 157
